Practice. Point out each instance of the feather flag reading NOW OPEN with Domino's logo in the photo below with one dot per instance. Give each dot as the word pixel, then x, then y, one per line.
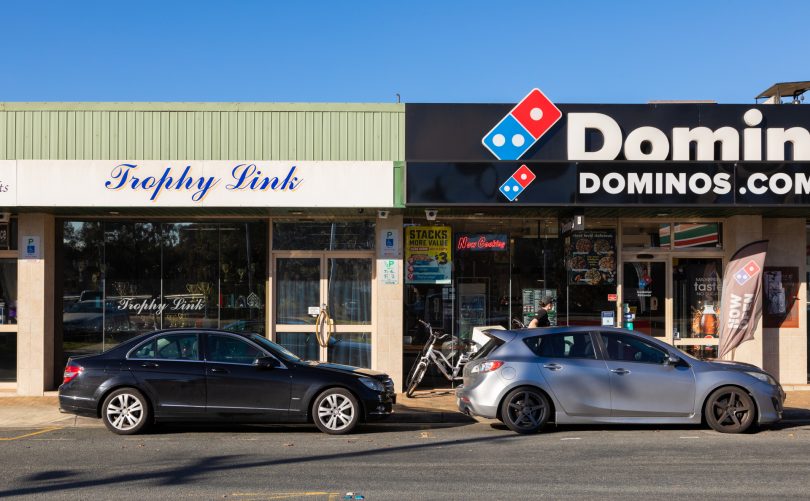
pixel 741 301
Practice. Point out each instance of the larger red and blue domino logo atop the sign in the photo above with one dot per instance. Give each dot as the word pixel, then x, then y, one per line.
pixel 517 132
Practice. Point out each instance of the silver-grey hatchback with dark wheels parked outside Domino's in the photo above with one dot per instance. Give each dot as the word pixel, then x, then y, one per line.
pixel 605 375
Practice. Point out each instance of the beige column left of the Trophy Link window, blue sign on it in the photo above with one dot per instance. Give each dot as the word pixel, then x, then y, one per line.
pixel 35 306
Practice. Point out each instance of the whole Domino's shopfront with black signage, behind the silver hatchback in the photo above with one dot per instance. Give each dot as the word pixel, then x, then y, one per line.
pixel 623 215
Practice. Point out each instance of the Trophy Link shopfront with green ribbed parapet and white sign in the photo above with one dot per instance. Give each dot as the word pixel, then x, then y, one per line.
pixel 127 218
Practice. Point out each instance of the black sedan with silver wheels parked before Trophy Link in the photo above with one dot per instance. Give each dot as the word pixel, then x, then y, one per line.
pixel 210 375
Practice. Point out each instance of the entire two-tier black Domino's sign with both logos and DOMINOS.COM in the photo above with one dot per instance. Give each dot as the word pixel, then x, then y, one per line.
pixel 539 153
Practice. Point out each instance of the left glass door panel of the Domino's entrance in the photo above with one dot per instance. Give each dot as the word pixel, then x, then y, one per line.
pixel 644 286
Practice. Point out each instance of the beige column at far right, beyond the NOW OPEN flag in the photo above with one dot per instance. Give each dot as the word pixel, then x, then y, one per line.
pixel 785 349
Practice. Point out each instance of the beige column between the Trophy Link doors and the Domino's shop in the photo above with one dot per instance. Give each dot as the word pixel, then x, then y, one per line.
pixel 387 347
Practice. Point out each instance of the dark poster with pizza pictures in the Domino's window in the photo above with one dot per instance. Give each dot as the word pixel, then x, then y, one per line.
pixel 591 257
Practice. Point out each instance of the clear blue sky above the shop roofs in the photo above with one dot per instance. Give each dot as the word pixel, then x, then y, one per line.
pixel 428 51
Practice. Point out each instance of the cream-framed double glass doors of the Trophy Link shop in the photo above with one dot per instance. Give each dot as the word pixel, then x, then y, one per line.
pixel 323 305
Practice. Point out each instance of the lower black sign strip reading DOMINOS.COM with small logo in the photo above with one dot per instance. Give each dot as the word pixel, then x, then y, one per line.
pixel 599 184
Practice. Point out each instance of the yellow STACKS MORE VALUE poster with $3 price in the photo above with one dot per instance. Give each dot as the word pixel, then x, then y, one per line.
pixel 428 255
